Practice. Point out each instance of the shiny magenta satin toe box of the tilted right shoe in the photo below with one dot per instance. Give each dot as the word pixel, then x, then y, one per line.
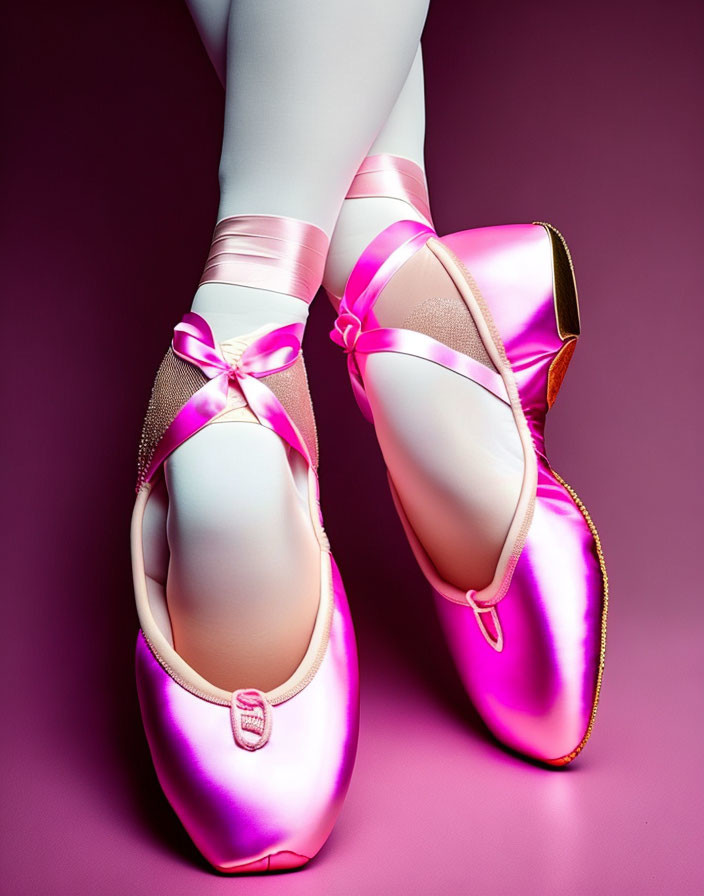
pixel 538 694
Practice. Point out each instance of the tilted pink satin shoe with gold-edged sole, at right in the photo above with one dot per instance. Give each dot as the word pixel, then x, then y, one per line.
pixel 529 646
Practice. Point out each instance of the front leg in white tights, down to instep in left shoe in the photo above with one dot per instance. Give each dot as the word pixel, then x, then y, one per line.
pixel 309 85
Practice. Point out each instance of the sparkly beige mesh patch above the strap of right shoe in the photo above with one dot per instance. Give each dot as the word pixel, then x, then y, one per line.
pixel 448 320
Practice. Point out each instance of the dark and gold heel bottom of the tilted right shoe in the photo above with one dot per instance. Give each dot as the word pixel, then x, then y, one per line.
pixel 566 309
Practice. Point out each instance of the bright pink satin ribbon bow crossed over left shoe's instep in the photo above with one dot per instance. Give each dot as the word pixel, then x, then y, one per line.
pixel 270 353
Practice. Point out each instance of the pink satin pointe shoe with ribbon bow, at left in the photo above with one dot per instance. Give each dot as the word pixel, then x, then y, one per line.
pixel 257 779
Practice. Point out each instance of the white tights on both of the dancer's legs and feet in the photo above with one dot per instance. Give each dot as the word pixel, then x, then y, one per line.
pixel 311 89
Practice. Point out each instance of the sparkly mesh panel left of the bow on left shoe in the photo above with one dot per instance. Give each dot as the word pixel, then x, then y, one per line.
pixel 176 381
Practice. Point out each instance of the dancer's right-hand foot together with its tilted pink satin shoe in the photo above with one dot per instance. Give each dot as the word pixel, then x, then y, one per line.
pixel 529 640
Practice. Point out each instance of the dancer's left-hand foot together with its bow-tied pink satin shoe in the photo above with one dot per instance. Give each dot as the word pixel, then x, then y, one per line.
pixel 256 770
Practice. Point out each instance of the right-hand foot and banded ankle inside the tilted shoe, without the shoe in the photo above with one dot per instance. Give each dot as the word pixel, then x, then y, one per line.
pixel 451 448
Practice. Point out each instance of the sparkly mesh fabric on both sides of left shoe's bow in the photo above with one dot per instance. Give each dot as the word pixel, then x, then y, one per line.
pixel 177 380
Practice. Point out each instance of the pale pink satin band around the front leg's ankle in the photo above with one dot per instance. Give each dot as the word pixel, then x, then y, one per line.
pixel 267 252
